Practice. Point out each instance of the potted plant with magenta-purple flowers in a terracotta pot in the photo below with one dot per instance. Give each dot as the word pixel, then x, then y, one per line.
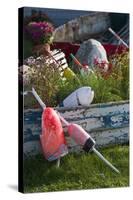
pixel 38 34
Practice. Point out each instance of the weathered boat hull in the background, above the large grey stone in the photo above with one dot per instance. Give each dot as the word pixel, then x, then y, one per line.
pixel 82 28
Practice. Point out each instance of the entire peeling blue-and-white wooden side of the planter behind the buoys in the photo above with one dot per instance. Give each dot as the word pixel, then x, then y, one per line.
pixel 107 123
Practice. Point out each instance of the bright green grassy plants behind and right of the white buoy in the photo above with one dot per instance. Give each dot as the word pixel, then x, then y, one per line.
pixel 113 88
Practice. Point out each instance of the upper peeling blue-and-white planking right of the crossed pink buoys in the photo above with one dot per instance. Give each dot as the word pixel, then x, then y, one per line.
pixel 100 117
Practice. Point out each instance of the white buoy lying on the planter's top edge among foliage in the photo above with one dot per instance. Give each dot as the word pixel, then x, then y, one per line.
pixel 82 96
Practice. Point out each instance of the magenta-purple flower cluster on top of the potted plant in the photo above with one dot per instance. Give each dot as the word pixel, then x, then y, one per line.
pixel 39 32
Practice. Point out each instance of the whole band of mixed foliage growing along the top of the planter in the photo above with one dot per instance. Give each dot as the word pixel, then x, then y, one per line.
pixel 53 89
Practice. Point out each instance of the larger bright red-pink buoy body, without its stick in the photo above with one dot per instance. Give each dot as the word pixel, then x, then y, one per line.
pixel 52 138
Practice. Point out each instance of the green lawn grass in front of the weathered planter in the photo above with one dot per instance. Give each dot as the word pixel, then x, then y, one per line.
pixel 77 171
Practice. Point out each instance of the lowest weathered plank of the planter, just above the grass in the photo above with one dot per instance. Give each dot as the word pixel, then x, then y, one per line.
pixel 102 138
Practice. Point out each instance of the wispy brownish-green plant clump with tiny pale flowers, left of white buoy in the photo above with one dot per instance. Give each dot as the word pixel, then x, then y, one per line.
pixel 43 77
